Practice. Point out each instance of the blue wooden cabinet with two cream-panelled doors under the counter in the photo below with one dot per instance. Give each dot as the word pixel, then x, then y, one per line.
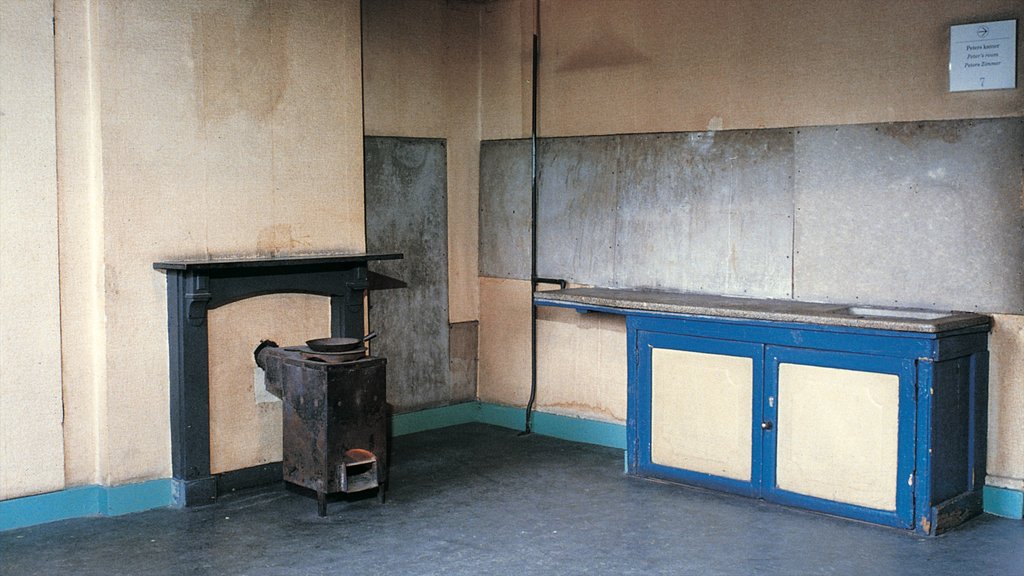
pixel 864 422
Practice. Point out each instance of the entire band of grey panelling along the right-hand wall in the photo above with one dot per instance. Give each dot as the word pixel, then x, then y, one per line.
pixel 915 215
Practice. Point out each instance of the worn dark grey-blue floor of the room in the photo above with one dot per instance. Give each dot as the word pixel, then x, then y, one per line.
pixel 477 500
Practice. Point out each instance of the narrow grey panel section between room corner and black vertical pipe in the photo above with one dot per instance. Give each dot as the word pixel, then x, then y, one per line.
pixel 505 207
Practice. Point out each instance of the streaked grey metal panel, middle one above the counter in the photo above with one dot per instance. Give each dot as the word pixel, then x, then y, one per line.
pixel 706 213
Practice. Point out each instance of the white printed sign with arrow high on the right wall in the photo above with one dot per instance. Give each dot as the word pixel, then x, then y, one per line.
pixel 984 57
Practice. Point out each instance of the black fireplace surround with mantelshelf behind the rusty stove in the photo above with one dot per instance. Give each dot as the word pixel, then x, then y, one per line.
pixel 197 286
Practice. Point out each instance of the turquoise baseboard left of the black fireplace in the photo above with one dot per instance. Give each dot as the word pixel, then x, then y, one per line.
pixel 84 502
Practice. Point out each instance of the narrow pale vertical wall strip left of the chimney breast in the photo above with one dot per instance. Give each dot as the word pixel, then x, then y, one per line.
pixel 80 241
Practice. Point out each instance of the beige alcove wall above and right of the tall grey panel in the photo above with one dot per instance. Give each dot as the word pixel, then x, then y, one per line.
pixel 421 79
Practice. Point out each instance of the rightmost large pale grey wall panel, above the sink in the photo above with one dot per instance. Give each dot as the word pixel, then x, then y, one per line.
pixel 918 215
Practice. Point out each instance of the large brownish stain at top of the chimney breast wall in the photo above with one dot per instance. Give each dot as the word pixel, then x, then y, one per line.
pixel 241 61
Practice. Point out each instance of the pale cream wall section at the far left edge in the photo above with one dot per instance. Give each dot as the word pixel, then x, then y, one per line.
pixel 31 438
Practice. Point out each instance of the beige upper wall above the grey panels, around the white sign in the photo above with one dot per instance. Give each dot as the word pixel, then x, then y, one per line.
pixel 652 66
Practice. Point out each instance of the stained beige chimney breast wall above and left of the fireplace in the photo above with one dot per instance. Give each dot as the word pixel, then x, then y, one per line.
pixel 228 129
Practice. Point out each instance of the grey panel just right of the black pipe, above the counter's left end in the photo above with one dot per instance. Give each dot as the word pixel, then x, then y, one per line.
pixel 578 196
